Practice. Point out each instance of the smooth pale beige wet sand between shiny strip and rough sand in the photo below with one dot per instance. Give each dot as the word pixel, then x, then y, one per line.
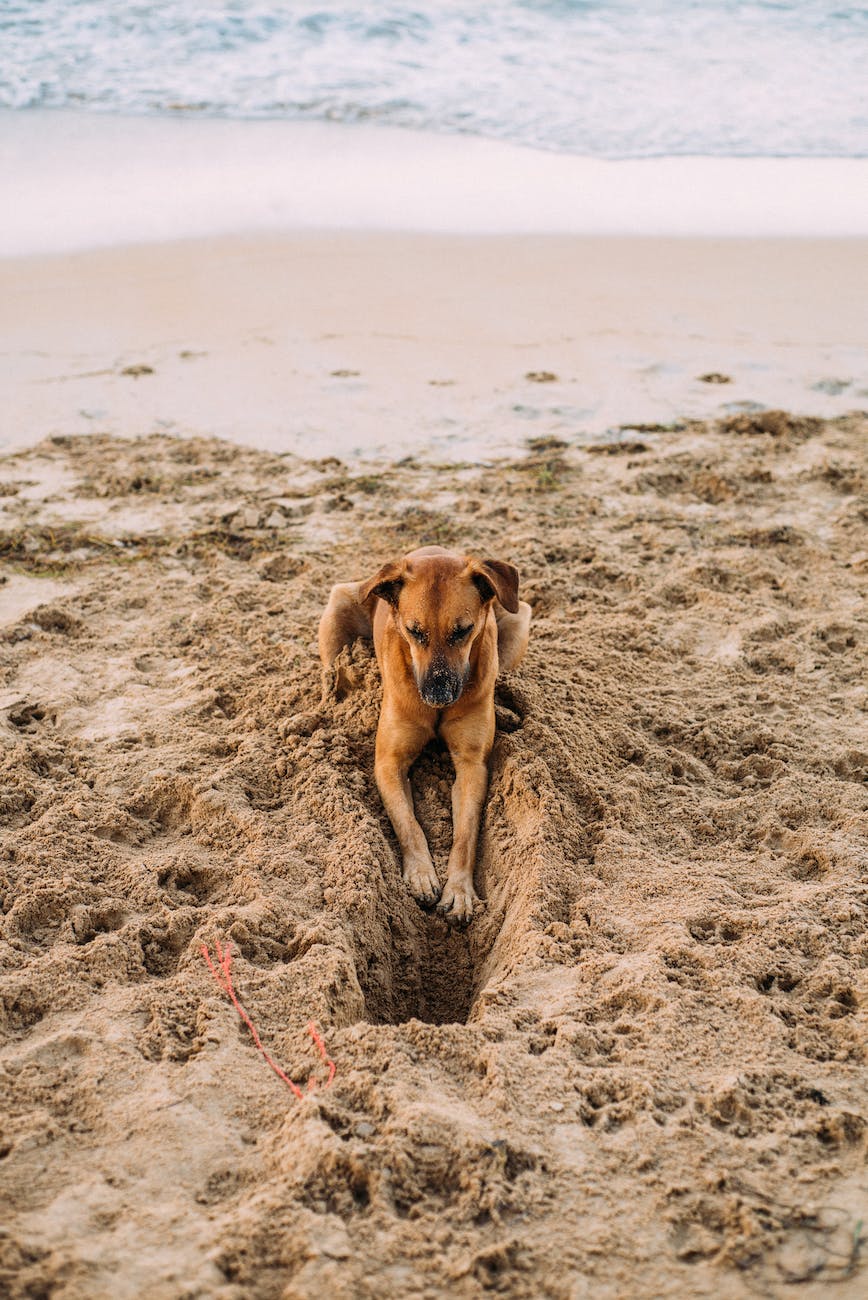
pixel 461 346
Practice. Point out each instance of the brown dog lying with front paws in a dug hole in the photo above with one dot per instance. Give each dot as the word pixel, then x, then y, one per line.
pixel 444 626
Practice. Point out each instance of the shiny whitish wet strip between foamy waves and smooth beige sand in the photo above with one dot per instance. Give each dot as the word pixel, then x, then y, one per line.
pixel 90 180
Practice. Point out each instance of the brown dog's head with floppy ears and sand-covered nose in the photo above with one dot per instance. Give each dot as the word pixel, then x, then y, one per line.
pixel 440 605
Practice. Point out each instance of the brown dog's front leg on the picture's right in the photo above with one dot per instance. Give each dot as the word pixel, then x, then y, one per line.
pixel 470 747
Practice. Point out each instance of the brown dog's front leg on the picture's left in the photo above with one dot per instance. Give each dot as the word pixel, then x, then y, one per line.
pixel 398 744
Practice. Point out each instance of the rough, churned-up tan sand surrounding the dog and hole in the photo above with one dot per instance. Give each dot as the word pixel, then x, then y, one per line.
pixel 641 1071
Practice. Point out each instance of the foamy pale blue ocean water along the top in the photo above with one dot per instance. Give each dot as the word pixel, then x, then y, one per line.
pixel 601 79
